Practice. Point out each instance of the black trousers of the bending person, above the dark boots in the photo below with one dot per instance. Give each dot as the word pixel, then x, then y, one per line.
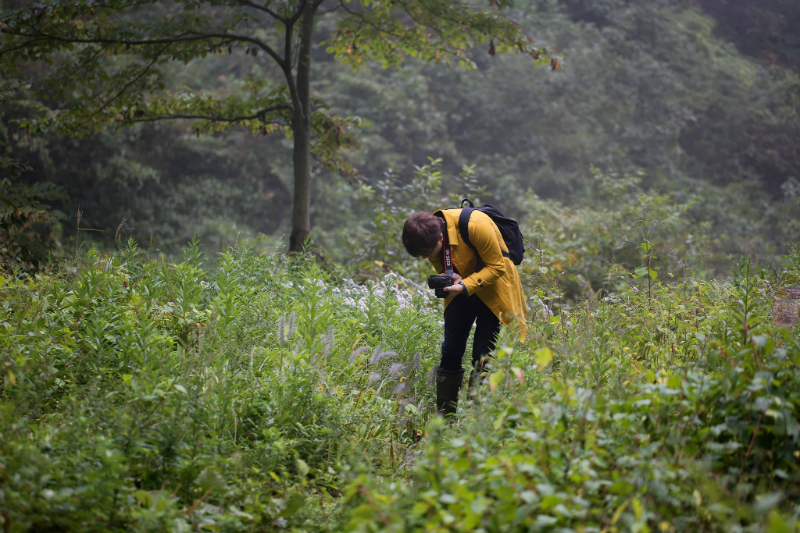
pixel 459 316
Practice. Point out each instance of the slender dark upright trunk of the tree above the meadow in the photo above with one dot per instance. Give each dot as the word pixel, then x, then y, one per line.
pixel 301 125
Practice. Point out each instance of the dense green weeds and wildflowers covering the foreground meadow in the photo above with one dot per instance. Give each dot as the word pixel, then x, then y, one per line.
pixel 253 392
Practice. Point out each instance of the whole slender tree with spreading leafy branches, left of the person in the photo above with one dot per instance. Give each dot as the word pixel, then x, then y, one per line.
pixel 108 60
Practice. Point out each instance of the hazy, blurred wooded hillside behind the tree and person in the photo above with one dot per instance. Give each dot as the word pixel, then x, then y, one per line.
pixel 697 101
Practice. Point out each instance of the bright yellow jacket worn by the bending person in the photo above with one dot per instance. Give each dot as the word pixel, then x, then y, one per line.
pixel 497 284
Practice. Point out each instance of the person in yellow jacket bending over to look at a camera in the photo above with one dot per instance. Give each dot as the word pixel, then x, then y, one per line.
pixel 486 291
